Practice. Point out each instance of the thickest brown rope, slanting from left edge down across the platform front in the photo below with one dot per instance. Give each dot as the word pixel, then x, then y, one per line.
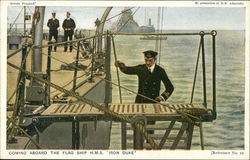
pixel 139 126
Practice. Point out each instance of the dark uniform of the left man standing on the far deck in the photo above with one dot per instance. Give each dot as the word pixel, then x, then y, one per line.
pixel 53 24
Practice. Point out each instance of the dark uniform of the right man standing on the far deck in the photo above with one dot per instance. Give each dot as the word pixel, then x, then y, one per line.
pixel 68 26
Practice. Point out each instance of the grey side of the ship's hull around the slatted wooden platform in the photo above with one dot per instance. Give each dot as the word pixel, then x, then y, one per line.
pixel 58 135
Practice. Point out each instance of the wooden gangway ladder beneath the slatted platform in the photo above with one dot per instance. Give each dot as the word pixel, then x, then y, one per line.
pixel 173 135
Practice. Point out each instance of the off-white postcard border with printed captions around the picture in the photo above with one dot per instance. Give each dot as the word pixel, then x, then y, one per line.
pixel 193 154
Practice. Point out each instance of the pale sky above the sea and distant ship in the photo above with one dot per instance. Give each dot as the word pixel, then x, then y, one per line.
pixel 174 18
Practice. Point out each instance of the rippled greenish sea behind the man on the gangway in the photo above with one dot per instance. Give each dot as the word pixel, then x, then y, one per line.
pixel 178 56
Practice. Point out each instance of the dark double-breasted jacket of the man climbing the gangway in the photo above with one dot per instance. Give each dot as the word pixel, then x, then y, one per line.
pixel 150 83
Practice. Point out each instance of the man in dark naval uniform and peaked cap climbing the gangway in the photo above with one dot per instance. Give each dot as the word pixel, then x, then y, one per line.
pixel 150 76
